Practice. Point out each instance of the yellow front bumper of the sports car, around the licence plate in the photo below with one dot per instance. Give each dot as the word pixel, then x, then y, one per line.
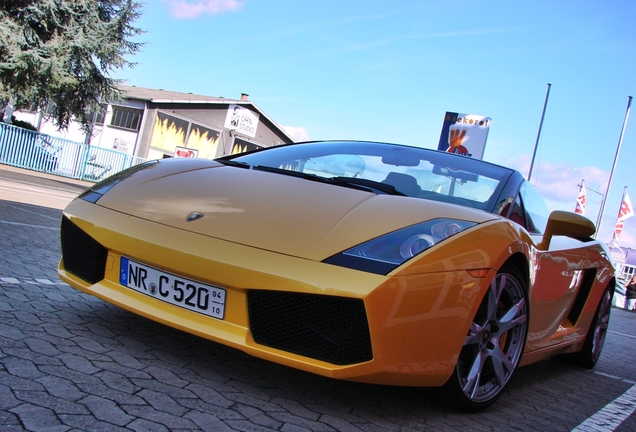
pixel 324 319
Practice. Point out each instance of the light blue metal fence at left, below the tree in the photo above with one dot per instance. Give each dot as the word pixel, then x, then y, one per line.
pixel 39 152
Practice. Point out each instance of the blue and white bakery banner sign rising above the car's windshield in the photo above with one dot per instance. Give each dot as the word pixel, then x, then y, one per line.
pixel 464 134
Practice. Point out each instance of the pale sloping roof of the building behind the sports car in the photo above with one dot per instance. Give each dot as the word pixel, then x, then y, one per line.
pixel 167 96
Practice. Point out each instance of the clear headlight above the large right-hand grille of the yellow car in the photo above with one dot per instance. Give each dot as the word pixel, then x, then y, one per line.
pixel 384 253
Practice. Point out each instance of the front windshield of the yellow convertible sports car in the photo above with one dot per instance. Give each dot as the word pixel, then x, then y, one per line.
pixel 385 168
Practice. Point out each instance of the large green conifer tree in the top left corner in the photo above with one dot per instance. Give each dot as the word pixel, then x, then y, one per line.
pixel 63 51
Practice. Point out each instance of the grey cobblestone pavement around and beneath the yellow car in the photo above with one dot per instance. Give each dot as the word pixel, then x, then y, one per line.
pixel 69 361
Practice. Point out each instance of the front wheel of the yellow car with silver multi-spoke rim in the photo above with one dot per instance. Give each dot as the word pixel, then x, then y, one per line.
pixel 493 347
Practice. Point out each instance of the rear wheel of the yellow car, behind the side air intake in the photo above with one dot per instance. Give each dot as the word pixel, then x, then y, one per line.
pixel 595 339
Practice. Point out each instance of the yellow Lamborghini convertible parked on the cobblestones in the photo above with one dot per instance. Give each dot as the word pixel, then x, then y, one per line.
pixel 363 261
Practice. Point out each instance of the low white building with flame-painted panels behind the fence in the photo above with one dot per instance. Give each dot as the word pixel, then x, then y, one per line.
pixel 151 124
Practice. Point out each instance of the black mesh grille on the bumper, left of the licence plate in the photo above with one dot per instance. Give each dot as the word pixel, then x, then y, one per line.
pixel 82 255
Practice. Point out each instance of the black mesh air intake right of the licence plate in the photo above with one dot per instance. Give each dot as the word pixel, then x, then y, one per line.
pixel 327 328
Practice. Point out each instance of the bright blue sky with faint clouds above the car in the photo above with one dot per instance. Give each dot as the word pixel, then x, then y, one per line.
pixel 389 70
